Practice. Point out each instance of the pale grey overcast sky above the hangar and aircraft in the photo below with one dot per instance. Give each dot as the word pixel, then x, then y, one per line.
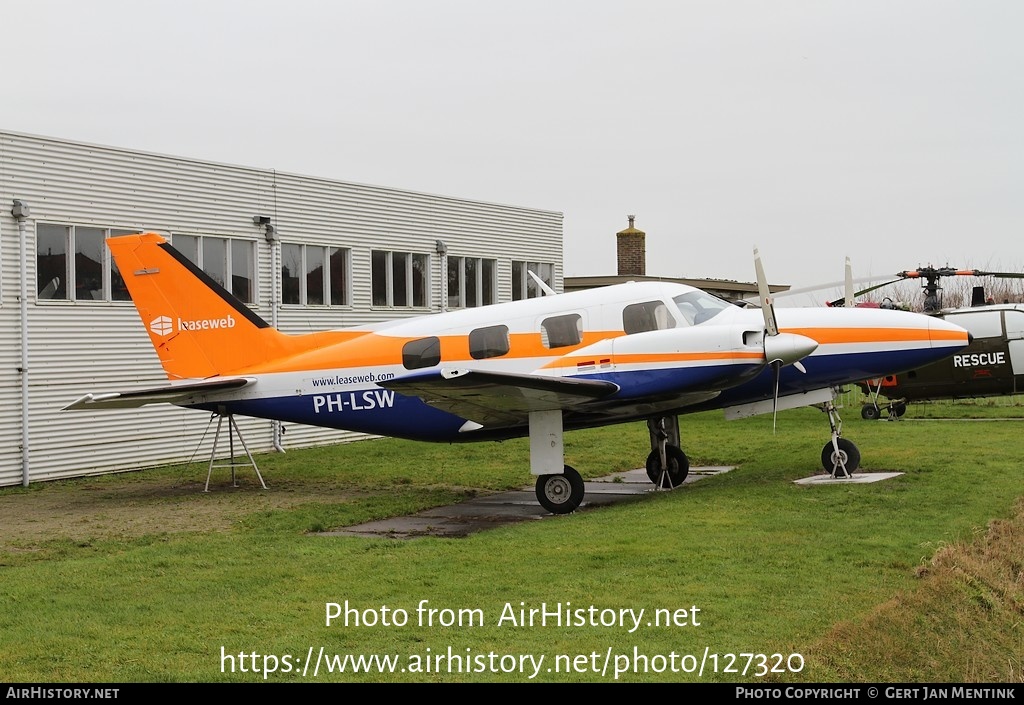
pixel 889 132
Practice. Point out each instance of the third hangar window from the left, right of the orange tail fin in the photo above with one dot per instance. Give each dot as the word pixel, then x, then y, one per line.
pixel 312 275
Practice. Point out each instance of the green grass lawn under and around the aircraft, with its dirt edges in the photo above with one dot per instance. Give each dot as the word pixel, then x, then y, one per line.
pixel 142 577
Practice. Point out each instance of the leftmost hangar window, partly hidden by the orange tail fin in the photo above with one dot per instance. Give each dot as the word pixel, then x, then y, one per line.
pixel 90 274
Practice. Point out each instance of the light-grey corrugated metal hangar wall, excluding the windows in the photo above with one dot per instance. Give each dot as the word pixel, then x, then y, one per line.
pixel 80 347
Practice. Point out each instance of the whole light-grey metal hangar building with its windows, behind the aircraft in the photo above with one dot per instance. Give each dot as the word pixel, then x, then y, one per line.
pixel 306 254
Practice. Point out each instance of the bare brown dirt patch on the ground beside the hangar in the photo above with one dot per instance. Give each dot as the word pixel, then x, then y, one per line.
pixel 139 505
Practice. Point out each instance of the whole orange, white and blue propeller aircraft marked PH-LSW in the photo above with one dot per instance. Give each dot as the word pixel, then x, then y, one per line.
pixel 537 367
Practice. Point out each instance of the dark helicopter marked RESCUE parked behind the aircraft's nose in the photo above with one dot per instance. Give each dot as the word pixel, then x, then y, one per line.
pixel 992 366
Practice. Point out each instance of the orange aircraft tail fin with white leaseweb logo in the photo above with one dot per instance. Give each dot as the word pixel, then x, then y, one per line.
pixel 198 328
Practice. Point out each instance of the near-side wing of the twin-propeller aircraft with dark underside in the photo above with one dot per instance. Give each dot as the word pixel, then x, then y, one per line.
pixel 493 399
